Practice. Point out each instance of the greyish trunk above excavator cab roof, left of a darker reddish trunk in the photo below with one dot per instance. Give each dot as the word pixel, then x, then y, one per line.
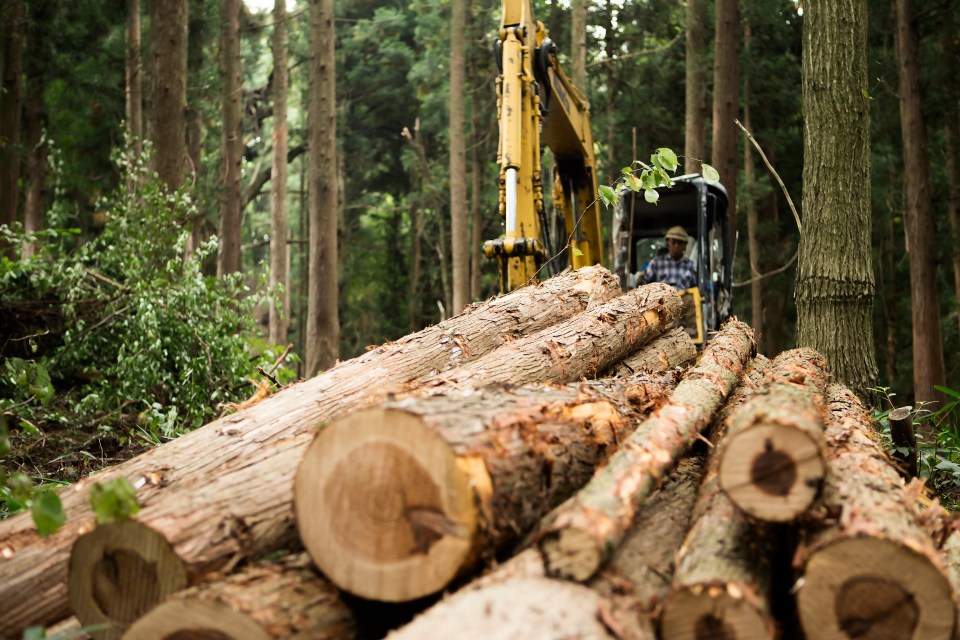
pixel 696 86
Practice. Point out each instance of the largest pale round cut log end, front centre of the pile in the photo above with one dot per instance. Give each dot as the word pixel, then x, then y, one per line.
pixel 383 506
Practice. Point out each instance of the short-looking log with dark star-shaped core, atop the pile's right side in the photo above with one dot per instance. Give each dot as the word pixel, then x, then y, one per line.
pixel 772 461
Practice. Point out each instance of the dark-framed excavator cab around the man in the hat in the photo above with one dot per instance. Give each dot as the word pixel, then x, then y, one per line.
pixel 701 209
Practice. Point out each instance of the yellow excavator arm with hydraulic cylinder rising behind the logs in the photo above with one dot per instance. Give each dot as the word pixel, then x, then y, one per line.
pixel 537 102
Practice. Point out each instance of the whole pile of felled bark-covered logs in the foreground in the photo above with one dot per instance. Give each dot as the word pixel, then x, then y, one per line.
pixel 556 463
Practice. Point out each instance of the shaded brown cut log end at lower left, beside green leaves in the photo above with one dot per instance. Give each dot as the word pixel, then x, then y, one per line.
pixel 120 571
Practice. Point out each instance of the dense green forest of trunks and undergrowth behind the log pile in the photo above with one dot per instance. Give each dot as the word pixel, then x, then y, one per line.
pixel 133 135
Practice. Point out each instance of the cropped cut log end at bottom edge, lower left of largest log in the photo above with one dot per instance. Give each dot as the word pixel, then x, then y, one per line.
pixel 195 620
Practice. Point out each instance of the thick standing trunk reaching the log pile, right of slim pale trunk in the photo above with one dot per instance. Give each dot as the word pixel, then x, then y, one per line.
pixel 323 323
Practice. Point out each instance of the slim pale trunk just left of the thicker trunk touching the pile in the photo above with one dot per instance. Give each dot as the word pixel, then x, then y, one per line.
pixel 278 188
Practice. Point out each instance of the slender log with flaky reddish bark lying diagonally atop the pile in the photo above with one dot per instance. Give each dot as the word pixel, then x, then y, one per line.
pixel 584 531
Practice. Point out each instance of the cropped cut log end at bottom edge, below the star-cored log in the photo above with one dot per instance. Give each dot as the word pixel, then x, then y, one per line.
pixel 707 612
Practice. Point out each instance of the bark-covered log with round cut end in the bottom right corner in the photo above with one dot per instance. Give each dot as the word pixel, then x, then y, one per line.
pixel 869 567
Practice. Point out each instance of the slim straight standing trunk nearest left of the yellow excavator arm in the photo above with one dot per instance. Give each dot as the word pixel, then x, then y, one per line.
pixel 460 257
